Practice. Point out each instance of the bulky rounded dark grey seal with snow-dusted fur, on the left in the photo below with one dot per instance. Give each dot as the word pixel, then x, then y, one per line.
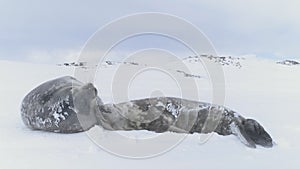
pixel 63 105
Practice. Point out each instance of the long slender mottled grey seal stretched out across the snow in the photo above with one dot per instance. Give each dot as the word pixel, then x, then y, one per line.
pixel 181 116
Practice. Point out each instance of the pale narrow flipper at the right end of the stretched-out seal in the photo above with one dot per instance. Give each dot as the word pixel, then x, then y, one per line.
pixel 242 135
